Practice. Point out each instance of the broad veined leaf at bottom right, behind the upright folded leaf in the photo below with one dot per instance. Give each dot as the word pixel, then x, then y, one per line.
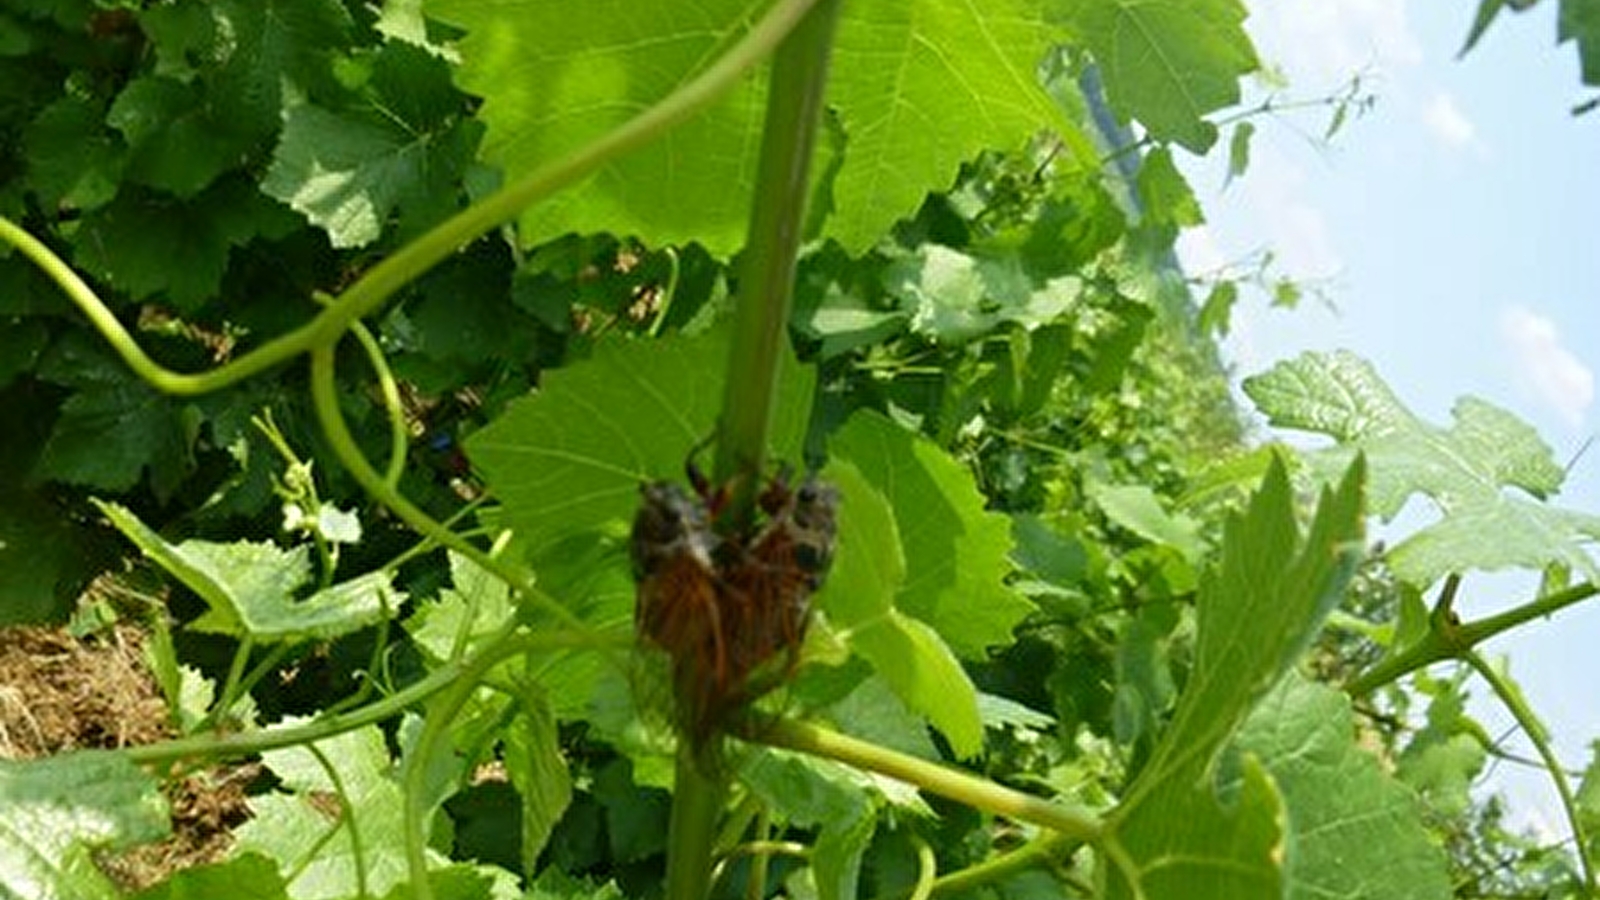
pixel 1353 830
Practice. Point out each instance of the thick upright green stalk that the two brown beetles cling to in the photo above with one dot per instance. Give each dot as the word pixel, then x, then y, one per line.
pixel 794 108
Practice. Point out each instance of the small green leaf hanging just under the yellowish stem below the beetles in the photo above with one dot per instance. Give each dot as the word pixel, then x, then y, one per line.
pixel 817 794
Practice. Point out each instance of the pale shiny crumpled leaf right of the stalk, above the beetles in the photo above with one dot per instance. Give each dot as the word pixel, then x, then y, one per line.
pixel 954 297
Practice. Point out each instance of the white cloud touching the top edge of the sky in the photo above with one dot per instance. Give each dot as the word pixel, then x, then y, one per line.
pixel 1324 42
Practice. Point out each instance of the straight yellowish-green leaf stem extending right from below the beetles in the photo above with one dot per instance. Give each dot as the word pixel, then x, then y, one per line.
pixel 1076 826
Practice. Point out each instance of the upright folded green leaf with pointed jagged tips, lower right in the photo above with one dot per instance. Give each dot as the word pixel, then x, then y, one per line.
pixel 1258 611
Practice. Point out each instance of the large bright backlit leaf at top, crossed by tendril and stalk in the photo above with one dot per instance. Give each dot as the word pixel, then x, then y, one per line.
pixel 919 87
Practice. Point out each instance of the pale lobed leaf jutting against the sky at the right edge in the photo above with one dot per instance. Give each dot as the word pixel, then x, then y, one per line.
pixel 1465 470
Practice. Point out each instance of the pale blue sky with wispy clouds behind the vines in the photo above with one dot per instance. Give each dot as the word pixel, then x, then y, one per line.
pixel 1454 231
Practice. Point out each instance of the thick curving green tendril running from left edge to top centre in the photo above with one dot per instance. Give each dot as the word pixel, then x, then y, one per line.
pixel 394 273
